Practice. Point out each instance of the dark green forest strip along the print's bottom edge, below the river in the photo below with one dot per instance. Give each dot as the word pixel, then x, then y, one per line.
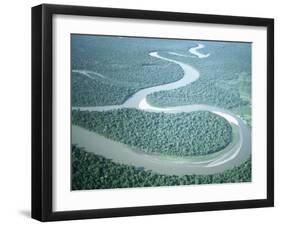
pixel 90 171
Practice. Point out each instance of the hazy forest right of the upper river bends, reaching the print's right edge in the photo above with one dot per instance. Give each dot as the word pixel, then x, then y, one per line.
pixel 225 80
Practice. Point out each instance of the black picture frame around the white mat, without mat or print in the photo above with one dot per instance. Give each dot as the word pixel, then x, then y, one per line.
pixel 42 111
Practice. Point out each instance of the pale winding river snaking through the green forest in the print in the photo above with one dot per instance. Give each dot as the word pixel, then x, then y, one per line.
pixel 234 154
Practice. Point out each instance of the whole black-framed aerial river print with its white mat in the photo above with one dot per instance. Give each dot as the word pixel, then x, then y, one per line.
pixel 146 112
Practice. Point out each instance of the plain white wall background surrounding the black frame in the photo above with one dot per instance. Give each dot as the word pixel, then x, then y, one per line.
pixel 15 85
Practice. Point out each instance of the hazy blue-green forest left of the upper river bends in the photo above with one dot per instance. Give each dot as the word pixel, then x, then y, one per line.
pixel 125 65
